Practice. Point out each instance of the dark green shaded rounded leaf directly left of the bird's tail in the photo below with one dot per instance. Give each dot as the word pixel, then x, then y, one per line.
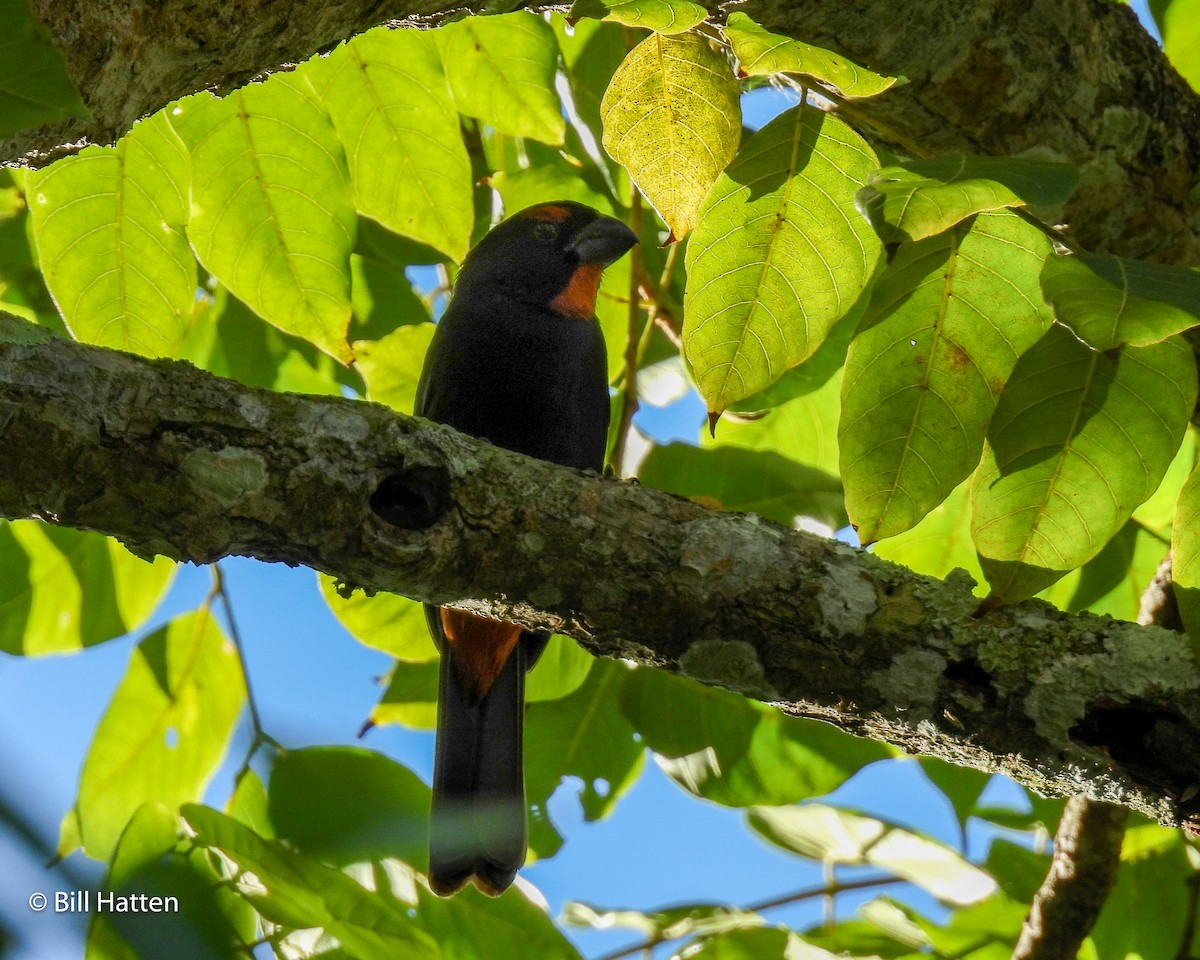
pixel 382 808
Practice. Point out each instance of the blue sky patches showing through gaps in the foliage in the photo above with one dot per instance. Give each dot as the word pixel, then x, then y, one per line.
pixel 316 686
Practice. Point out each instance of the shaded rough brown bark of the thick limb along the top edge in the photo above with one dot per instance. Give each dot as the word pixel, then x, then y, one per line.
pixel 1077 80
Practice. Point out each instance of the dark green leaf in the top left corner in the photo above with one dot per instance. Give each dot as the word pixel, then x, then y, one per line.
pixel 35 88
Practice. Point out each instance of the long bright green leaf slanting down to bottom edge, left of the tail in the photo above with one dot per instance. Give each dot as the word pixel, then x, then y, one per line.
pixel 299 893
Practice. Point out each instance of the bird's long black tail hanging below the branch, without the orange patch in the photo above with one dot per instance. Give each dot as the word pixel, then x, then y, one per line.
pixel 478 817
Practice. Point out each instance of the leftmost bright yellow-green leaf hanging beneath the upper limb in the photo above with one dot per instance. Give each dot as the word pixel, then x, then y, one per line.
pixel 110 230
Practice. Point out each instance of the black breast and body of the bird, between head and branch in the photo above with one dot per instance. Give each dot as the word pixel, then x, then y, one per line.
pixel 524 379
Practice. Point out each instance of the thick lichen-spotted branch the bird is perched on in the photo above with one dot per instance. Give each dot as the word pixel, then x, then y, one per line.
pixel 176 461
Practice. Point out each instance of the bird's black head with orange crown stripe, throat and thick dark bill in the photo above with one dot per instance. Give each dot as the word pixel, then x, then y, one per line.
pixel 550 255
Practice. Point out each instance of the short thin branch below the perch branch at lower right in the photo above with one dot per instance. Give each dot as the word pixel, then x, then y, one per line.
pixel 1087 860
